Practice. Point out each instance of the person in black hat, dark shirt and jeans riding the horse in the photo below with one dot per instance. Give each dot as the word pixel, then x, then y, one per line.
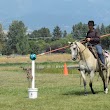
pixel 93 39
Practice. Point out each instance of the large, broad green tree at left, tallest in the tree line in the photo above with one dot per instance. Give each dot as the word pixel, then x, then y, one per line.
pixel 17 38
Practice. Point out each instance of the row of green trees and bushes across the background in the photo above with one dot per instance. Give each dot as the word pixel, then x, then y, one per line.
pixel 19 41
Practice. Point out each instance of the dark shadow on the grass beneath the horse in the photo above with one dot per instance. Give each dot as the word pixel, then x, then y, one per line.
pixel 78 93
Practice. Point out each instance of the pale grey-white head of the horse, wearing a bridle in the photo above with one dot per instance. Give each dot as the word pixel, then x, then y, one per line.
pixel 74 50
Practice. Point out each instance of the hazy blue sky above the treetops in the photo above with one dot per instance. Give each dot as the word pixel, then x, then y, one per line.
pixel 49 13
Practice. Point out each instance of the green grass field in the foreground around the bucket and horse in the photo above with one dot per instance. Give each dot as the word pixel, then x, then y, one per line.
pixel 55 91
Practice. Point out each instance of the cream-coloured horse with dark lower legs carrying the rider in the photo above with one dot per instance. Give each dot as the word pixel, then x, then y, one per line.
pixel 88 63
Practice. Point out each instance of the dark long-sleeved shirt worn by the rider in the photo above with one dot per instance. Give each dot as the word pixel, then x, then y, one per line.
pixel 95 39
